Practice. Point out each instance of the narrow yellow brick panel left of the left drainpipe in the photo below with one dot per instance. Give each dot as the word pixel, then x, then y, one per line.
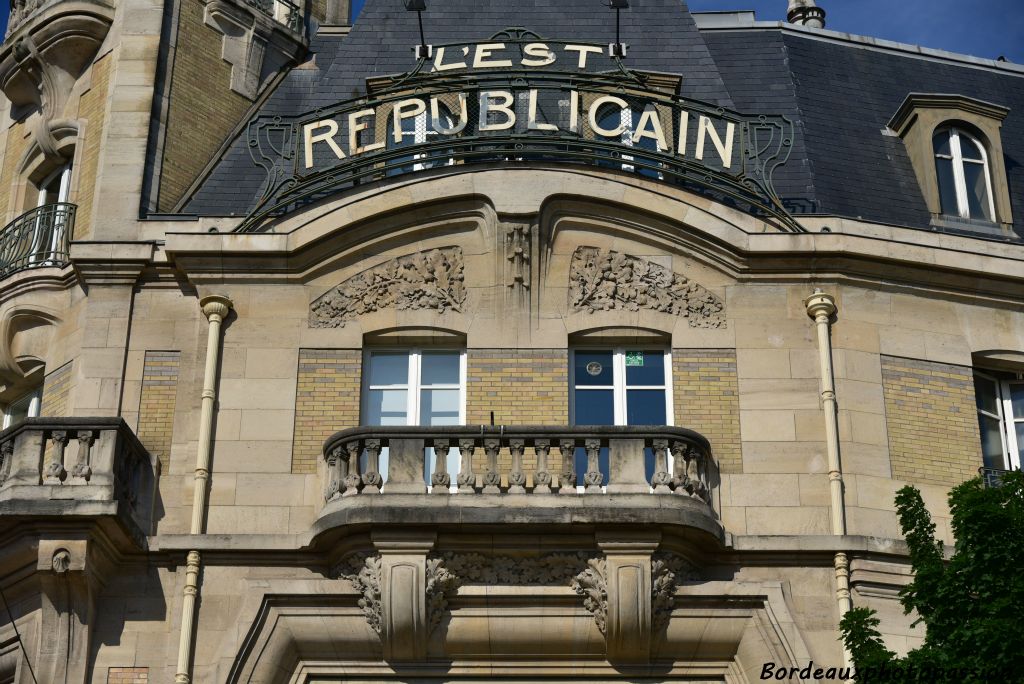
pixel 156 409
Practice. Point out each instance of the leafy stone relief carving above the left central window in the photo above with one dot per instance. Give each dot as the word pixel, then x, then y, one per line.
pixel 430 280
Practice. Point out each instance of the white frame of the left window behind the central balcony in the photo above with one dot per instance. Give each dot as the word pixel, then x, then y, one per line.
pixel 413 389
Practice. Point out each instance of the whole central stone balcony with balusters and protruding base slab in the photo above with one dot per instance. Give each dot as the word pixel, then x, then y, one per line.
pixel 575 476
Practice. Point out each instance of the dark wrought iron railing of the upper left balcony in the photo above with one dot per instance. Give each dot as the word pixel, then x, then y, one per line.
pixel 37 238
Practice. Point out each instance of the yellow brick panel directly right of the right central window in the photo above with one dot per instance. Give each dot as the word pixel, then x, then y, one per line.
pixel 706 394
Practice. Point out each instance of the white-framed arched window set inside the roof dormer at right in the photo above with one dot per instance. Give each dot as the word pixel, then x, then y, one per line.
pixel 964 176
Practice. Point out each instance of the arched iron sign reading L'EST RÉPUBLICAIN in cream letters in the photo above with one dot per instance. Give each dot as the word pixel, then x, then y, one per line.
pixel 520 100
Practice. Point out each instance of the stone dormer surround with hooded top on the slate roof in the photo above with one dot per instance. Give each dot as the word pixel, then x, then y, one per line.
pixel 917 122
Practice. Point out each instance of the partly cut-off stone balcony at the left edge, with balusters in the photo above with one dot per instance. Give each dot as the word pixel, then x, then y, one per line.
pixel 75 468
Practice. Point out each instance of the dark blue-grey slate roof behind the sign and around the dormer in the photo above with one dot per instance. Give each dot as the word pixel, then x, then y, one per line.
pixel 840 95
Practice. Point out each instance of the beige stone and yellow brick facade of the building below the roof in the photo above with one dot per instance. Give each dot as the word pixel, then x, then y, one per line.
pixel 202 500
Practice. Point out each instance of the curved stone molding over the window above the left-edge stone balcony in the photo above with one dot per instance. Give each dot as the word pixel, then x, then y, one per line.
pixel 27 333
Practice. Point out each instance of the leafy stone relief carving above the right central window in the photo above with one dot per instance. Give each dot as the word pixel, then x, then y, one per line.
pixel 603 281
